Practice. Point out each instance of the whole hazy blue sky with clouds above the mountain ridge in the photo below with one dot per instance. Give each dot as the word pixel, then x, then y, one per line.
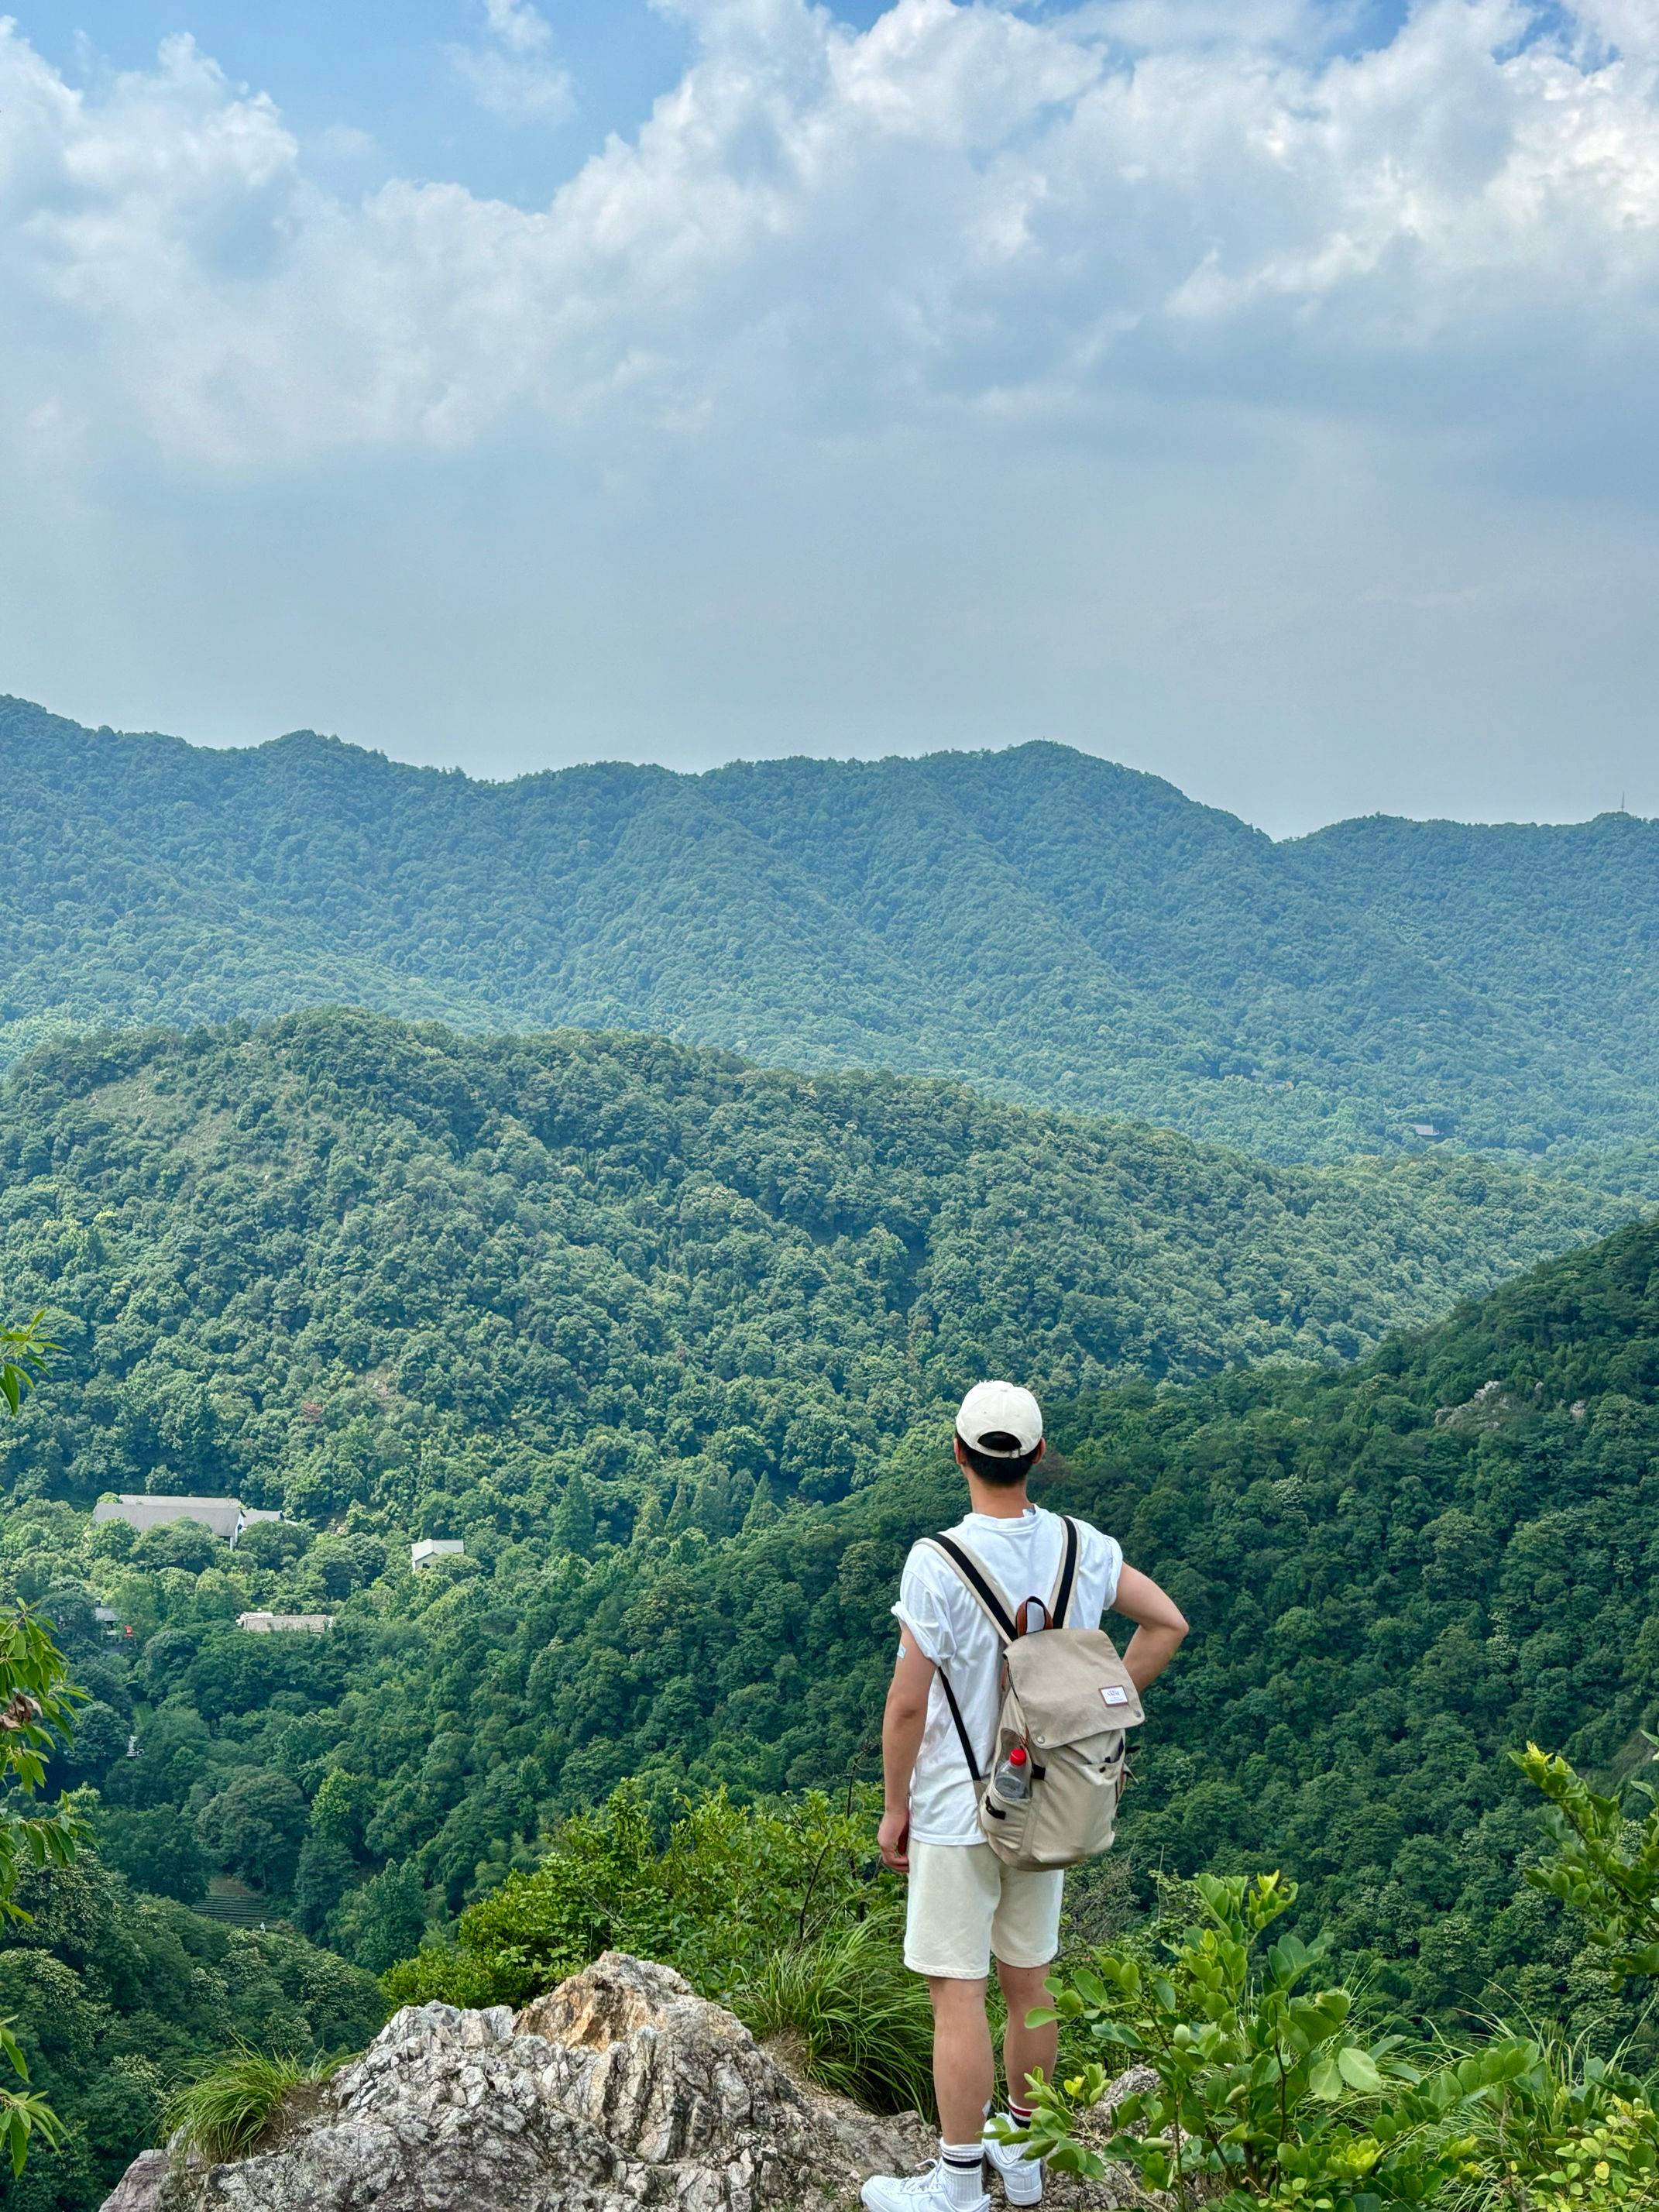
pixel 1251 390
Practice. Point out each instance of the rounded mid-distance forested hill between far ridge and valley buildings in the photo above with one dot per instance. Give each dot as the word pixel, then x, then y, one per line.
pixel 346 1260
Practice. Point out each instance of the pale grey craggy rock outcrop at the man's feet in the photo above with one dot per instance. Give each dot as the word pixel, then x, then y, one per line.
pixel 618 2091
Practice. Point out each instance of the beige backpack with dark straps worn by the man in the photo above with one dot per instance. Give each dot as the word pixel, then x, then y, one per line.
pixel 1067 1700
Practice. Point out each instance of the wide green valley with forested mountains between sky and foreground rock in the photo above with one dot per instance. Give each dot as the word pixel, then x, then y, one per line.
pixel 583 1390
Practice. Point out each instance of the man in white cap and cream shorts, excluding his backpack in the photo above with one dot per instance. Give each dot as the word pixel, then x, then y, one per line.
pixel 966 1906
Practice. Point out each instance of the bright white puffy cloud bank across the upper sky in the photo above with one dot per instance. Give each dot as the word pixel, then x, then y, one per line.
pixel 957 207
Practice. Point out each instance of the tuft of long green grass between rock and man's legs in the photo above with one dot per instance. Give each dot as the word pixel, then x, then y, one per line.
pixel 859 2016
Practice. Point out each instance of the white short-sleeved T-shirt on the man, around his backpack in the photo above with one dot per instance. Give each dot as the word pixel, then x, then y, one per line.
pixel 1019 1558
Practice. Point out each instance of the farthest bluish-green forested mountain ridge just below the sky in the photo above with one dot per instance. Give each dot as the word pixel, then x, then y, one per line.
pixel 1036 921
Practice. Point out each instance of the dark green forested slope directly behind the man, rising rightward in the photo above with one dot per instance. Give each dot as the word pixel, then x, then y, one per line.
pixel 1397 1574
